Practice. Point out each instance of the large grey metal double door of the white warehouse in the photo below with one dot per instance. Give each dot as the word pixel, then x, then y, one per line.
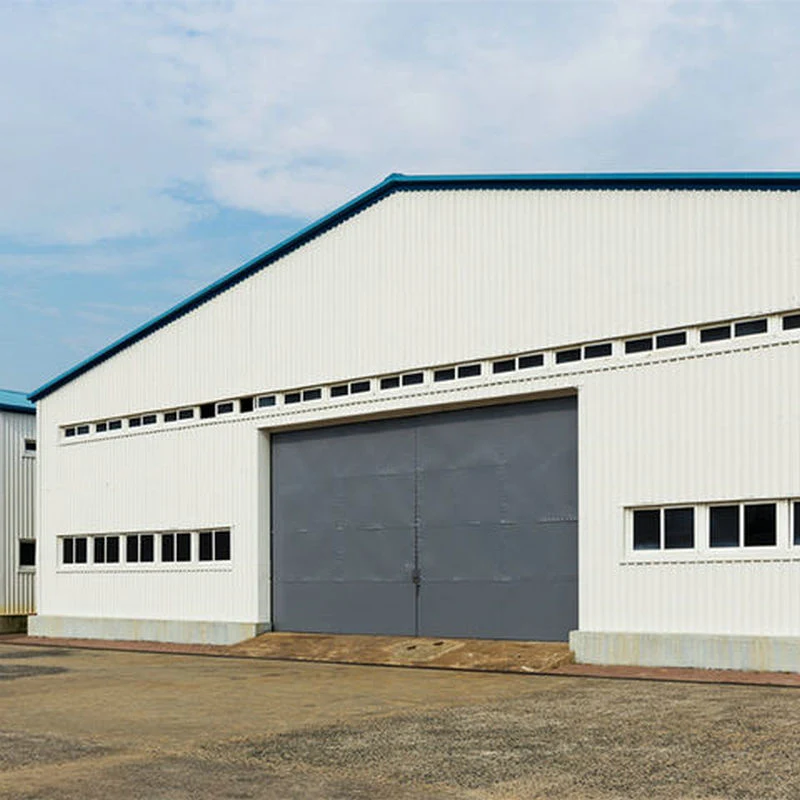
pixel 461 523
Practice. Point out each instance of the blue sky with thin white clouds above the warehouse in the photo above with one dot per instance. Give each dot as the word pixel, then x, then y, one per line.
pixel 147 148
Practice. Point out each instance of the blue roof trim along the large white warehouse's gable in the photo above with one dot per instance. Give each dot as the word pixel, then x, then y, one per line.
pixel 731 181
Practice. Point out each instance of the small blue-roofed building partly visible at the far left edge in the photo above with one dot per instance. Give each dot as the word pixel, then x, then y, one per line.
pixel 17 543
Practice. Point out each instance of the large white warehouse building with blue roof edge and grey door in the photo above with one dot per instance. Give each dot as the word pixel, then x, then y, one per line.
pixel 528 407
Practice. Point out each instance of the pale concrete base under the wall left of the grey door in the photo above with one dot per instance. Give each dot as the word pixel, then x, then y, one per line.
pixel 150 630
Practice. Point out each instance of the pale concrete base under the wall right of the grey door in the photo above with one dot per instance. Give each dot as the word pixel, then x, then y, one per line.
pixel 706 651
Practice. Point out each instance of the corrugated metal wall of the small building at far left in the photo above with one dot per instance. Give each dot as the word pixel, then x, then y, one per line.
pixel 16 511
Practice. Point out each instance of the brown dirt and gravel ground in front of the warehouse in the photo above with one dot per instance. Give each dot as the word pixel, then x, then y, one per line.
pixel 94 724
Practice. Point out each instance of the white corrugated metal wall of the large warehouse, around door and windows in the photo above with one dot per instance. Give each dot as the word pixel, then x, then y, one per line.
pixel 427 278
